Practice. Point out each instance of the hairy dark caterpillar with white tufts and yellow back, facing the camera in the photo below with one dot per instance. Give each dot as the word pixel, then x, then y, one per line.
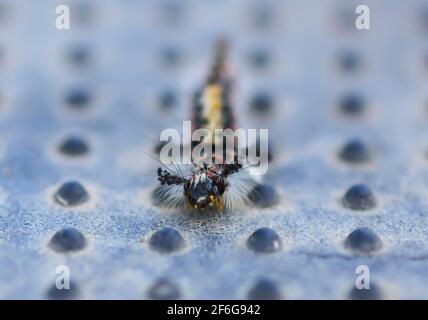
pixel 206 183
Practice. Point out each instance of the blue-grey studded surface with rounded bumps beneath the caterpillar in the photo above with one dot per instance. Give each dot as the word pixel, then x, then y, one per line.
pixel 347 115
